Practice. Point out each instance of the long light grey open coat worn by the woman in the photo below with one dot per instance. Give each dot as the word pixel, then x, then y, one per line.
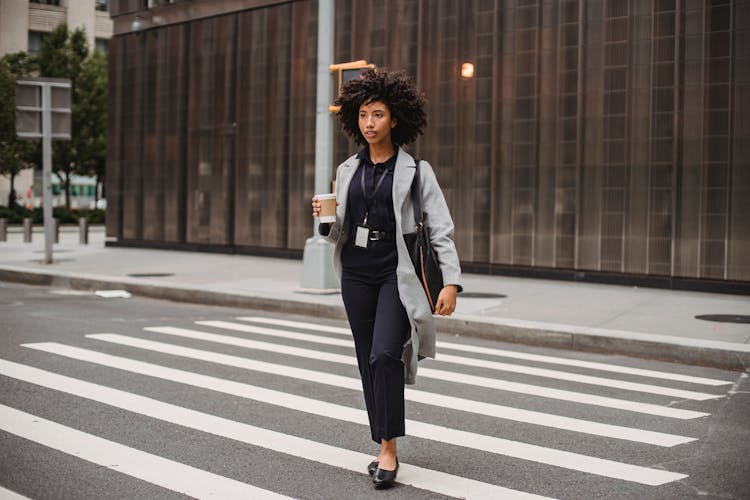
pixel 437 218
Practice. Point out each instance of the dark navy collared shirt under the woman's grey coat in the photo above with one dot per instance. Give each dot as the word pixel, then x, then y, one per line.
pixel 379 256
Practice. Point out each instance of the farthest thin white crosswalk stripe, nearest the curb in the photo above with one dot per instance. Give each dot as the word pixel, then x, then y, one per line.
pixel 509 354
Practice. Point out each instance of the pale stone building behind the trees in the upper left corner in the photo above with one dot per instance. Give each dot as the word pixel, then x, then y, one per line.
pixel 23 24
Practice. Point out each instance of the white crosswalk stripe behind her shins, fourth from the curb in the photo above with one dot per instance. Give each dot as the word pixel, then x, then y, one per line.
pixel 430 398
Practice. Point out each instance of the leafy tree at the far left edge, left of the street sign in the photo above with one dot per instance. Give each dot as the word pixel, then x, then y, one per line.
pixel 15 154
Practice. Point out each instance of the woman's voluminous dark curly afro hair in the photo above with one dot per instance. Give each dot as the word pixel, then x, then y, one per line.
pixel 394 89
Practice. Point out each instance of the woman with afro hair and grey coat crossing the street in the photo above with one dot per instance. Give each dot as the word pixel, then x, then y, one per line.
pixel 388 311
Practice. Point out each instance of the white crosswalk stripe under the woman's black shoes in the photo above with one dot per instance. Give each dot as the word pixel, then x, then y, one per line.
pixel 438 482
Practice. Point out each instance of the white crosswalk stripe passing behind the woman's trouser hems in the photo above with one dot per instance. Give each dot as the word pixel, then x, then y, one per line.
pixel 490 444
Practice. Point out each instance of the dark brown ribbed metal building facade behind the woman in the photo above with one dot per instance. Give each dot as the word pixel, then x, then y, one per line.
pixel 600 139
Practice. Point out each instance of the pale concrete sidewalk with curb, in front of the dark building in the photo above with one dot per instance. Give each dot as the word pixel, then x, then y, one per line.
pixel 606 318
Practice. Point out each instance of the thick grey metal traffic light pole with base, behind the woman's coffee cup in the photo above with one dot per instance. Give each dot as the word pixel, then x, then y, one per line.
pixel 318 275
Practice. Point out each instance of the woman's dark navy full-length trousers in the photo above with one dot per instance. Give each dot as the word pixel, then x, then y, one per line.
pixel 380 327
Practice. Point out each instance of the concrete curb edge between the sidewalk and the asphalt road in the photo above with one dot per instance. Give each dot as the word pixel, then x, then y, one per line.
pixel 716 354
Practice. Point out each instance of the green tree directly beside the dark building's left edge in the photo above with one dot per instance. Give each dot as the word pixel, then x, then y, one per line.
pixel 91 138
